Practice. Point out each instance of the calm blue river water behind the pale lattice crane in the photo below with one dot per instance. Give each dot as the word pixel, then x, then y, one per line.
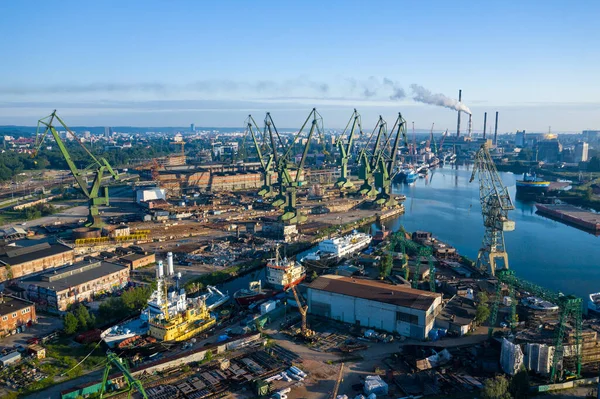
pixel 541 250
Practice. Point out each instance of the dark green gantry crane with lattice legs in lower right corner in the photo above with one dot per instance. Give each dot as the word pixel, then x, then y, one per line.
pixel 569 308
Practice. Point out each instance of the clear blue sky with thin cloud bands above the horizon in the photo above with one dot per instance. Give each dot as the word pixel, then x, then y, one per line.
pixel 172 63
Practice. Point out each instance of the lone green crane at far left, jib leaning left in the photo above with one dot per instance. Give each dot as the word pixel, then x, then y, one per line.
pixel 98 167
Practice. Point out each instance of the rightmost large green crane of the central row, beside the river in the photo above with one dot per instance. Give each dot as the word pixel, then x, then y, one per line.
pixel 385 164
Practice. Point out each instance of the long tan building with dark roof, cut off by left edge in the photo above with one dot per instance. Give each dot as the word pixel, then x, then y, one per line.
pixel 20 261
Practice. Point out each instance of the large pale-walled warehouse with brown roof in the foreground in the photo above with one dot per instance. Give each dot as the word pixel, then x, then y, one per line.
pixel 374 304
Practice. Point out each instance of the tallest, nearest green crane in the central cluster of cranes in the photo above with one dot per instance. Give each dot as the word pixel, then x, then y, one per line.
pixel 290 185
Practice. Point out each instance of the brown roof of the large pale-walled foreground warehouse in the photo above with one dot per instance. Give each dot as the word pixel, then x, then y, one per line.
pixel 376 291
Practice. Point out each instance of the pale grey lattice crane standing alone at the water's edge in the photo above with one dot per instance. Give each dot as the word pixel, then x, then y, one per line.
pixel 495 204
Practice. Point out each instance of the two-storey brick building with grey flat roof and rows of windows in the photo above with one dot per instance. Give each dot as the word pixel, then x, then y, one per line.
pixel 57 289
